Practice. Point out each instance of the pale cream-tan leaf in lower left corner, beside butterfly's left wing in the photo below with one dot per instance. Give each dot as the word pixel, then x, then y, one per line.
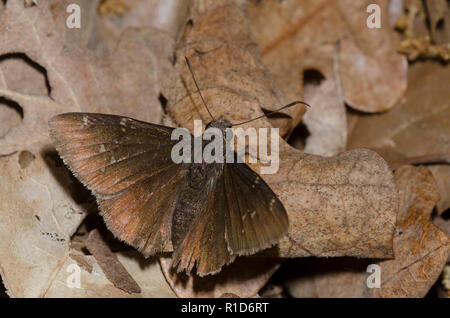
pixel 37 220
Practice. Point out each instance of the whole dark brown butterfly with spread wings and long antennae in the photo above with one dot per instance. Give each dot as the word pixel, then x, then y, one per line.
pixel 212 212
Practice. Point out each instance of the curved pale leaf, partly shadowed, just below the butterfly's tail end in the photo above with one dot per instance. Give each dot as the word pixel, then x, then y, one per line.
pixel 244 278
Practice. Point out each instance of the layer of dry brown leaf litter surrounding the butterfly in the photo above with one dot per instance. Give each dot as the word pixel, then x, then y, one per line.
pixel 340 203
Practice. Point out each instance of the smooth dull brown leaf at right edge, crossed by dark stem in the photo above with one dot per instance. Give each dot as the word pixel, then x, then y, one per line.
pixel 419 125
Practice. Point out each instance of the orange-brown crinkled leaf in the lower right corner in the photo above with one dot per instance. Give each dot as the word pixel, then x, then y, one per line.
pixel 421 248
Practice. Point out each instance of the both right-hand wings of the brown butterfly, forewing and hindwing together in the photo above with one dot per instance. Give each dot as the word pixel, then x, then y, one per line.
pixel 240 216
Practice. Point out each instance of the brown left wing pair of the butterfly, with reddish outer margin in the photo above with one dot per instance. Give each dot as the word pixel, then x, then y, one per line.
pixel 127 165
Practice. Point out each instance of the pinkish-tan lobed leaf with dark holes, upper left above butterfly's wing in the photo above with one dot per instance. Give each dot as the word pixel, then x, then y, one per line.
pixel 79 79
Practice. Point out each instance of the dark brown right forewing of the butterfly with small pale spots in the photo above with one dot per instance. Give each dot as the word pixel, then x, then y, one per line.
pixel 256 218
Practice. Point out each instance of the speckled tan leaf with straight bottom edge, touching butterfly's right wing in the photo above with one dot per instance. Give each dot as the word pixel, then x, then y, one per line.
pixel 337 206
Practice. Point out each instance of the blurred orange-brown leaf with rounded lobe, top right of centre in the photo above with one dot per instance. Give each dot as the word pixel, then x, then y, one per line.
pixel 296 35
